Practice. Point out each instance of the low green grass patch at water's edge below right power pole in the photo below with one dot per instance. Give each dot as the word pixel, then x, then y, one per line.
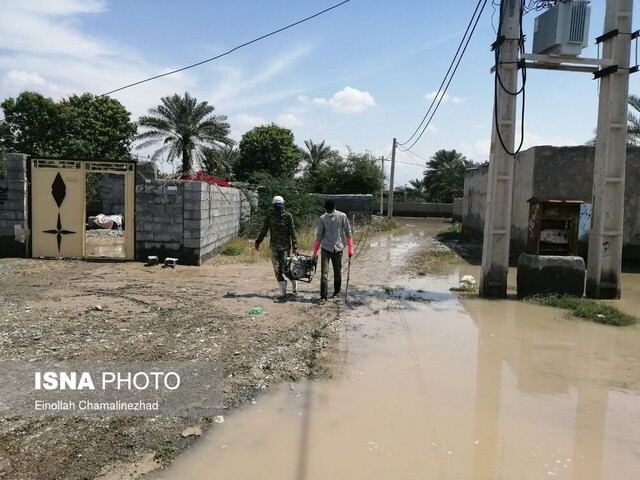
pixel 587 309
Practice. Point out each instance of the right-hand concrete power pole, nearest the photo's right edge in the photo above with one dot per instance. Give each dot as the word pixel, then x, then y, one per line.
pixel 605 237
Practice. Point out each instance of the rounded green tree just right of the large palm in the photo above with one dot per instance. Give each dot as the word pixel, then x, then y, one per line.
pixel 269 149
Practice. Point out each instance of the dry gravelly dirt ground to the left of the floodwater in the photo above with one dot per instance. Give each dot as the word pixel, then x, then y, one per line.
pixel 72 310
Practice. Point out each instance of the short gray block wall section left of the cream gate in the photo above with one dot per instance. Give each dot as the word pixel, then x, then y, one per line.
pixel 14 221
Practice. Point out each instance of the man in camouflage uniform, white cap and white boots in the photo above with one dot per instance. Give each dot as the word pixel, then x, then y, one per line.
pixel 283 239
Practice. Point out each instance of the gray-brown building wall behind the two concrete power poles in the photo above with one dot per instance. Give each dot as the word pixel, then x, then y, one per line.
pixel 553 172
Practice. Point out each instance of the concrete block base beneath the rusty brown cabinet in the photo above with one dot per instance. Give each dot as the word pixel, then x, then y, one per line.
pixel 550 274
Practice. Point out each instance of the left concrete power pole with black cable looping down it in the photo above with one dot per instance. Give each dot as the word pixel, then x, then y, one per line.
pixel 498 204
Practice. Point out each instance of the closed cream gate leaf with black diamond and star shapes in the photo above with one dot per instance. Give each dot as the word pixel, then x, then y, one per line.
pixel 57 208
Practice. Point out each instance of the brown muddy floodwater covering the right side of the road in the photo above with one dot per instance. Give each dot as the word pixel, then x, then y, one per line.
pixel 432 386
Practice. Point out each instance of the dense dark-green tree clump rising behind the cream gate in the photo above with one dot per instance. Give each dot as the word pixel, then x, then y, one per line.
pixel 80 126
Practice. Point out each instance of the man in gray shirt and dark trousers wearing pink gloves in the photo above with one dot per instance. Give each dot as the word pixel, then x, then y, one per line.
pixel 333 229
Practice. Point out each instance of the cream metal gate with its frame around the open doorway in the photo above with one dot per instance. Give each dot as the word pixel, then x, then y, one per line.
pixel 58 205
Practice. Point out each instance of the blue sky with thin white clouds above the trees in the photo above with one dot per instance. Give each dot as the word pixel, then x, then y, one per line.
pixel 355 77
